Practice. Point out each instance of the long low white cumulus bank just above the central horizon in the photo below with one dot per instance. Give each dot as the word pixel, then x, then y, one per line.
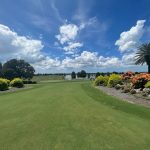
pixel 90 59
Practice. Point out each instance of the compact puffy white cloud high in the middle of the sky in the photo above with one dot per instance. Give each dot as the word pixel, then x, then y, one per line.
pixel 68 32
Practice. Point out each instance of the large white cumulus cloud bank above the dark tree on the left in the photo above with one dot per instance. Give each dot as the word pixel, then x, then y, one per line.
pixel 13 45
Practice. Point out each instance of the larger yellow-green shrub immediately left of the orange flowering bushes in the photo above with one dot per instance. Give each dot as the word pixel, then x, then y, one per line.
pixel 114 79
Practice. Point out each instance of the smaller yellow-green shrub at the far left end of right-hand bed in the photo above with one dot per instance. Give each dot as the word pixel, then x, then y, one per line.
pixel 101 80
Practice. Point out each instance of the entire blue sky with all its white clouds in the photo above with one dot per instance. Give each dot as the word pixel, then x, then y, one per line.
pixel 58 36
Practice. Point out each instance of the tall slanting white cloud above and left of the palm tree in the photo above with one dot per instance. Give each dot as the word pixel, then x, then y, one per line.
pixel 130 39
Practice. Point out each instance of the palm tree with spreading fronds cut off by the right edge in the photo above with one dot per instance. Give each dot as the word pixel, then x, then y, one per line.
pixel 143 55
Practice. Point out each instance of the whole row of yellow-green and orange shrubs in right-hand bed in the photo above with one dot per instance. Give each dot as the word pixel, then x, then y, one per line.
pixel 127 82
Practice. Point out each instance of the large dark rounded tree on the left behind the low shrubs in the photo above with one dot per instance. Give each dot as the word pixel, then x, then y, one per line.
pixel 17 68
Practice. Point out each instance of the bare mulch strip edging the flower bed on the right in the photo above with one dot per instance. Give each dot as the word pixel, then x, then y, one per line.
pixel 126 96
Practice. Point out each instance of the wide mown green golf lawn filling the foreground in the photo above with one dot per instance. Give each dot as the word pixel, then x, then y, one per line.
pixel 71 116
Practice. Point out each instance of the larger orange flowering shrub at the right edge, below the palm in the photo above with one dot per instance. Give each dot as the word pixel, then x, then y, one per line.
pixel 140 80
